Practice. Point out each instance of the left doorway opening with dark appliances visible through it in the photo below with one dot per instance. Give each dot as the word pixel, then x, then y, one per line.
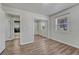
pixel 14 26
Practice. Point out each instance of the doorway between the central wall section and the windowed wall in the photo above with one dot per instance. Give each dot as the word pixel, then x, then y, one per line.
pixel 41 28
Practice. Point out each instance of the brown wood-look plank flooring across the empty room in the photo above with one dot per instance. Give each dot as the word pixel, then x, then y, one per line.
pixel 40 46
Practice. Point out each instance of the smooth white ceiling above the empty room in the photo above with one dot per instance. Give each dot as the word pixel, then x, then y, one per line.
pixel 41 8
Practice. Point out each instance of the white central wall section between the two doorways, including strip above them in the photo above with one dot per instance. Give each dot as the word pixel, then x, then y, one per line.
pixel 27 23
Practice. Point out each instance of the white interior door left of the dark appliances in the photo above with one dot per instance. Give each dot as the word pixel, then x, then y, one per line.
pixel 10 27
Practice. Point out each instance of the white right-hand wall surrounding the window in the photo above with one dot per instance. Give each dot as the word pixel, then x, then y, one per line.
pixel 71 37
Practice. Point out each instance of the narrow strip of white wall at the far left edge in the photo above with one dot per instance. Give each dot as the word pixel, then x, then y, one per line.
pixel 2 29
